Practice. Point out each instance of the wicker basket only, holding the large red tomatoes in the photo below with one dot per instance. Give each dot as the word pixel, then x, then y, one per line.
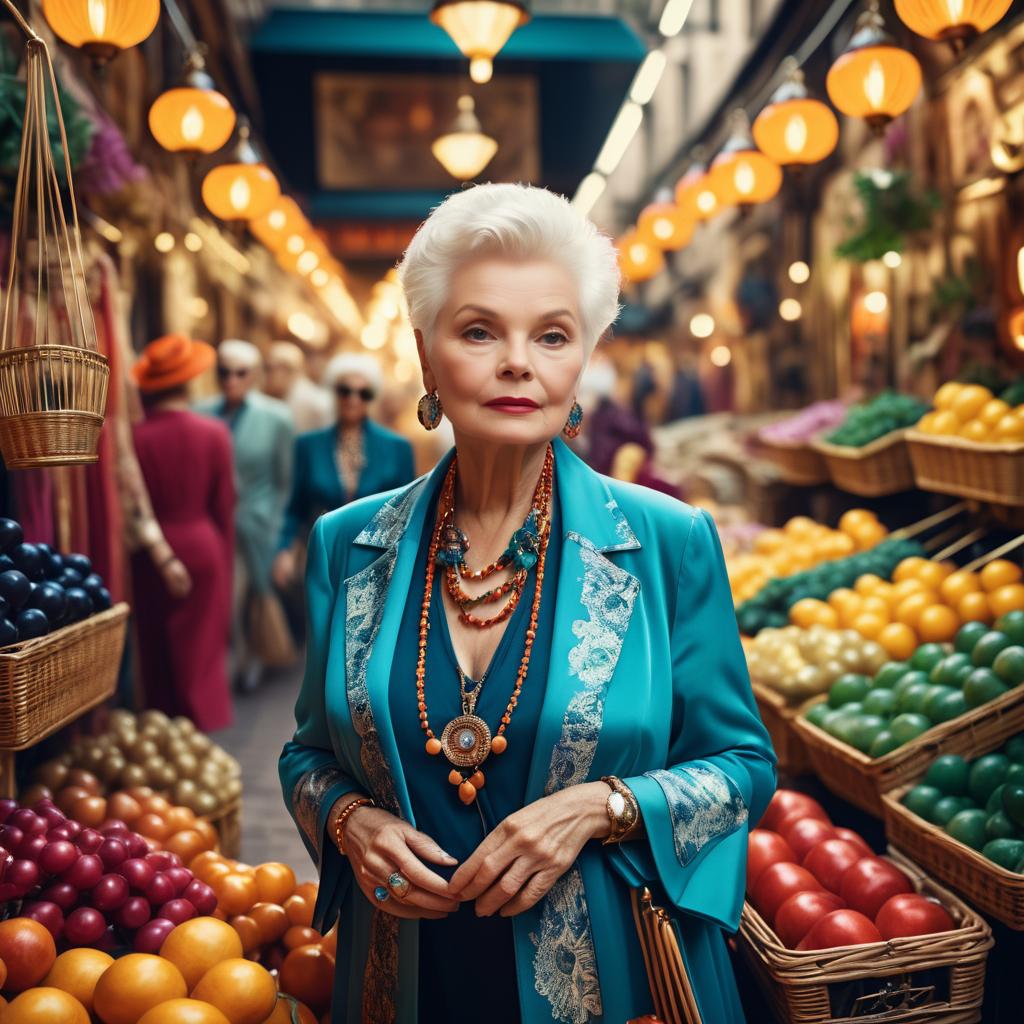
pixel 924 978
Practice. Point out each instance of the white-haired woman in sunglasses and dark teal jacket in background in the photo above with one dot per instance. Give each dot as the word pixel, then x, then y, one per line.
pixel 353 459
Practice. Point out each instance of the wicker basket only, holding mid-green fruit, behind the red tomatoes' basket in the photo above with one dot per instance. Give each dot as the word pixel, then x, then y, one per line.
pixel 862 780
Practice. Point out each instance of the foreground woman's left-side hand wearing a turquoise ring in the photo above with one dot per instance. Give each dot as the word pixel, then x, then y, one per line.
pixel 377 844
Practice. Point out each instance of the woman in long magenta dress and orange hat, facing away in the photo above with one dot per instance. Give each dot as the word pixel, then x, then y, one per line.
pixel 183 582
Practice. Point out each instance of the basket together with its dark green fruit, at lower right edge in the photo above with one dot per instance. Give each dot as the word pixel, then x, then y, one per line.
pixel 964 822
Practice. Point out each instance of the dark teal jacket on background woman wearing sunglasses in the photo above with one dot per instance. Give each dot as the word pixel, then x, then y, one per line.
pixel 317 486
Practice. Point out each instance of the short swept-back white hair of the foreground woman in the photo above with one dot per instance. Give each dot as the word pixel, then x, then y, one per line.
pixel 519 222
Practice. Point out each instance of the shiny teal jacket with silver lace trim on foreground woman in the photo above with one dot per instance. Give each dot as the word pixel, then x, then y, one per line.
pixel 647 681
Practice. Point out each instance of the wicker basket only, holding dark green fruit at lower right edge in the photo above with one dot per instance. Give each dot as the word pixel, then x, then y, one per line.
pixel 993 889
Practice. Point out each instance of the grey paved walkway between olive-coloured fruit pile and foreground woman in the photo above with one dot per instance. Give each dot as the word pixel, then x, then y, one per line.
pixel 264 721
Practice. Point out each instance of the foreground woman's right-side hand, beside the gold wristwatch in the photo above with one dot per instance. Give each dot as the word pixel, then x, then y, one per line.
pixel 532 849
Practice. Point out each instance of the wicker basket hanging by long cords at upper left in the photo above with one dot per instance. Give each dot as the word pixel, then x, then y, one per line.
pixel 53 379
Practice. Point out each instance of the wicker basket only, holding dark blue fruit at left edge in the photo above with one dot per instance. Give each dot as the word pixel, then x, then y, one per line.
pixel 51 681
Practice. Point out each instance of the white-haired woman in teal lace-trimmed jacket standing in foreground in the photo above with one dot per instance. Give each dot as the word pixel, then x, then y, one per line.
pixel 525 691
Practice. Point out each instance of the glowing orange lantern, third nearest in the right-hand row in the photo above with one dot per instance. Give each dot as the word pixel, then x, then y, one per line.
pixel 796 130
